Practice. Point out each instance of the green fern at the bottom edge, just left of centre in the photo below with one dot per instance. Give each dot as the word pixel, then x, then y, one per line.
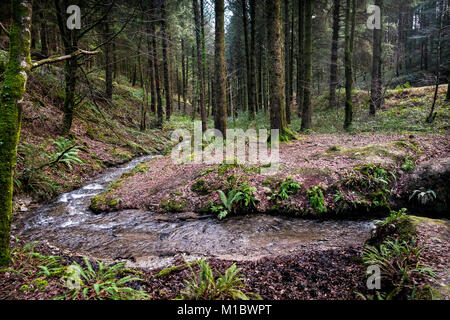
pixel 205 286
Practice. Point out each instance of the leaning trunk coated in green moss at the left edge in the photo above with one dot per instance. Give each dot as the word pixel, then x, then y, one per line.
pixel 11 96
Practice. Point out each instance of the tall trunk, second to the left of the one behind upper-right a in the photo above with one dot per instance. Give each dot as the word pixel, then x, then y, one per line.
pixel 334 53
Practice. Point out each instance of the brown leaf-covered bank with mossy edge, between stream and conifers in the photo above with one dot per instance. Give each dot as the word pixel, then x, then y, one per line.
pixel 338 176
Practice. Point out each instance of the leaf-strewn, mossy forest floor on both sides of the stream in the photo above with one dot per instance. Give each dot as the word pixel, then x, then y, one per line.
pixel 384 151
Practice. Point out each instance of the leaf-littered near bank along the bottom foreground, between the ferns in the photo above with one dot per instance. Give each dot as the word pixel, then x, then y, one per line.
pixel 331 274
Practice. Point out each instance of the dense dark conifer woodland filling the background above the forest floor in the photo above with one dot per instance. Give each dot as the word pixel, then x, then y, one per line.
pixel 160 45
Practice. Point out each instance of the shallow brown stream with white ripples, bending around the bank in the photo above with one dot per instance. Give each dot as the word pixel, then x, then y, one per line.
pixel 151 240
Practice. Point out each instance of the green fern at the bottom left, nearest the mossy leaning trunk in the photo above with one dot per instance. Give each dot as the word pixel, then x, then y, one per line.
pixel 103 282
